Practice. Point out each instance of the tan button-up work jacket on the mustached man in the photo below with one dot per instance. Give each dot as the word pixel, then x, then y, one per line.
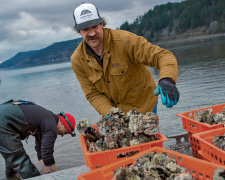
pixel 124 80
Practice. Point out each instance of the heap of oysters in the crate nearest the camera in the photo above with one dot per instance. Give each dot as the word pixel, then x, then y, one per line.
pixel 153 166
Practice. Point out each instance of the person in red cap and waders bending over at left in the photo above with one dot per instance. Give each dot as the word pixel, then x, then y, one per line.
pixel 18 120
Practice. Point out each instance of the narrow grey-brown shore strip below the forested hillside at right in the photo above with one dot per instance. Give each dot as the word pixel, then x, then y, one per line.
pixel 190 40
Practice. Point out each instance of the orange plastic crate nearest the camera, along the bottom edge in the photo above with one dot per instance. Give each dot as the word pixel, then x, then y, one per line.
pixel 199 169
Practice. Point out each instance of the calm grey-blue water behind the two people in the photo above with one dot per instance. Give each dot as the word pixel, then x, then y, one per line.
pixel 201 83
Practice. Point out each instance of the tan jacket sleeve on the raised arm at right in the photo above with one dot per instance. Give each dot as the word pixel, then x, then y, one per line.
pixel 148 54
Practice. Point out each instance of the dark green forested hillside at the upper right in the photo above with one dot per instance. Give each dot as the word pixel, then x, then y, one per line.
pixel 174 19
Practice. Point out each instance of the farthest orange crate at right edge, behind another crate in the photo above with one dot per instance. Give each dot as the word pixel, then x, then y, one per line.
pixel 194 126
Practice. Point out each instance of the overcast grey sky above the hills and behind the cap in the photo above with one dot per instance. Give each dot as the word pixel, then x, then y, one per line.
pixel 35 24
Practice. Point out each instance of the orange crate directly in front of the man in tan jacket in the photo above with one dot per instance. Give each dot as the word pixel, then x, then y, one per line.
pixel 97 159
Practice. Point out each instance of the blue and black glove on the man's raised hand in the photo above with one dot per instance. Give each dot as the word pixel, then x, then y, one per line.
pixel 168 91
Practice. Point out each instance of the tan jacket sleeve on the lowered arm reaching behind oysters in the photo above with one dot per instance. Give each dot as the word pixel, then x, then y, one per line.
pixel 97 99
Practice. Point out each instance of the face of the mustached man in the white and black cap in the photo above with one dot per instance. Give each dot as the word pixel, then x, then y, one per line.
pixel 93 36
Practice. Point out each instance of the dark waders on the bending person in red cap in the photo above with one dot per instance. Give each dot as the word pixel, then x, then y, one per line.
pixel 12 122
